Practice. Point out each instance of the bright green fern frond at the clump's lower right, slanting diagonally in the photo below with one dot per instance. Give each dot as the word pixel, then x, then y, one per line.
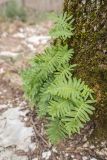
pixel 78 116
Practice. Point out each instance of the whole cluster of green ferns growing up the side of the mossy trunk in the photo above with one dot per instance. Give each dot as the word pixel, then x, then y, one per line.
pixel 50 84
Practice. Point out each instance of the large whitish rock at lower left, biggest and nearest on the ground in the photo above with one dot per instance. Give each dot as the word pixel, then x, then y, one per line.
pixel 13 132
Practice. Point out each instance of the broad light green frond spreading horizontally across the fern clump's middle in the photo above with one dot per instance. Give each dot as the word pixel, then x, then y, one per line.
pixel 68 89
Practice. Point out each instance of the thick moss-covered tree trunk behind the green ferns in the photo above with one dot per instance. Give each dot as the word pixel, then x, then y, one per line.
pixel 90 45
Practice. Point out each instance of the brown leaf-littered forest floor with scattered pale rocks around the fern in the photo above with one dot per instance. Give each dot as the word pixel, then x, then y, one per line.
pixel 22 136
